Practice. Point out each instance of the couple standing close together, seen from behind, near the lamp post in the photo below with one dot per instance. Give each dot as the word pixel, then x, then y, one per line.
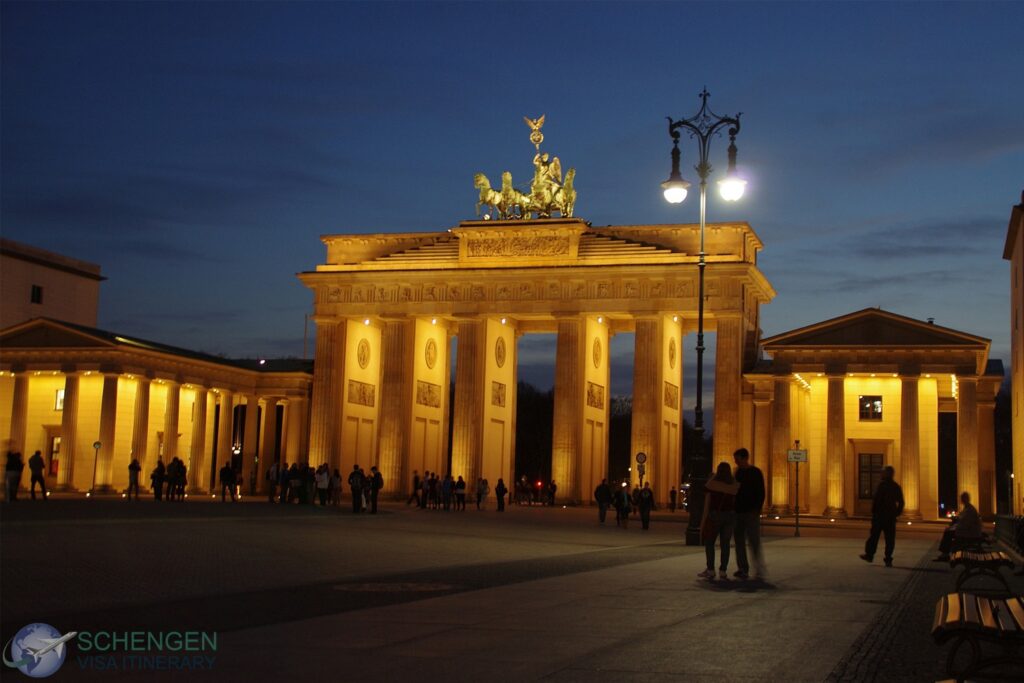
pixel 733 505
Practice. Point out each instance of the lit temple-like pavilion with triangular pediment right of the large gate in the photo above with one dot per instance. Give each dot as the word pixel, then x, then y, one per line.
pixel 866 391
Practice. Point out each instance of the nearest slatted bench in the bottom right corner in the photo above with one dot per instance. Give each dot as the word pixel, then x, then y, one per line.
pixel 973 621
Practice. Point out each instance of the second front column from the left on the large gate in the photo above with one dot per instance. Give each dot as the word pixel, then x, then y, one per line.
pixel 397 395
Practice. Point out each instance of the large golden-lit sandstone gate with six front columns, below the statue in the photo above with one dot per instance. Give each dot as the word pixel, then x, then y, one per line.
pixel 389 307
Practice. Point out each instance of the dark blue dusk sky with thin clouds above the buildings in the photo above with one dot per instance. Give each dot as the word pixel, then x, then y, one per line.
pixel 198 151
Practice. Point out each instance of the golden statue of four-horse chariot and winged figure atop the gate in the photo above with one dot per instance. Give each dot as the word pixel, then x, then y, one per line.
pixel 549 193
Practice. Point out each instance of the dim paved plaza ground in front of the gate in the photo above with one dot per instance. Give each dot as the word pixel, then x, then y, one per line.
pixel 534 593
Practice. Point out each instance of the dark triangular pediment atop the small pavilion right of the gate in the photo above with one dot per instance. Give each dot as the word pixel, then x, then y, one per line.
pixel 875 328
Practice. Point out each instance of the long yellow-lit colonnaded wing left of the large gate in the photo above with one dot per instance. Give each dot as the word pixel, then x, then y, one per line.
pixel 65 388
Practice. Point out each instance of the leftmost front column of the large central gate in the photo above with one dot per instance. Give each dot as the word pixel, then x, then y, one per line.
pixel 324 433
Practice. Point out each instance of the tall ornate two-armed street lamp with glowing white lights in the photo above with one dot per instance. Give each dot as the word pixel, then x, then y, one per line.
pixel 703 127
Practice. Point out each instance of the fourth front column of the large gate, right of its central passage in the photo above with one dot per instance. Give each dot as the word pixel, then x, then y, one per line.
pixel 566 443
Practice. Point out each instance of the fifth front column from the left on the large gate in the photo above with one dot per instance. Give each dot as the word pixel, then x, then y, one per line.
pixel 646 431
